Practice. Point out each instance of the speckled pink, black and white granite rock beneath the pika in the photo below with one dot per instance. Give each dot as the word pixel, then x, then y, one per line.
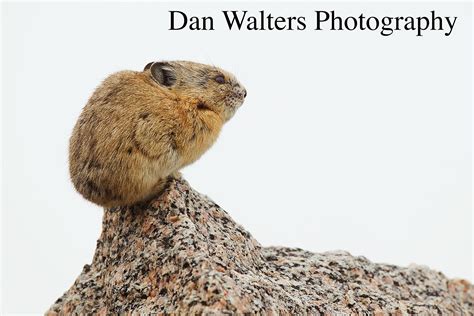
pixel 183 254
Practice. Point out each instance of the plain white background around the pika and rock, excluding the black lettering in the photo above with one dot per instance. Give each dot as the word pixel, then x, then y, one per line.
pixel 347 140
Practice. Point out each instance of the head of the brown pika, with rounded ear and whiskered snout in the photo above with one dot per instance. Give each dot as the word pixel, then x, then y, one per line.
pixel 217 90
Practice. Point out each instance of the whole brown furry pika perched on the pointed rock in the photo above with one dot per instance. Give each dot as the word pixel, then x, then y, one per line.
pixel 141 127
